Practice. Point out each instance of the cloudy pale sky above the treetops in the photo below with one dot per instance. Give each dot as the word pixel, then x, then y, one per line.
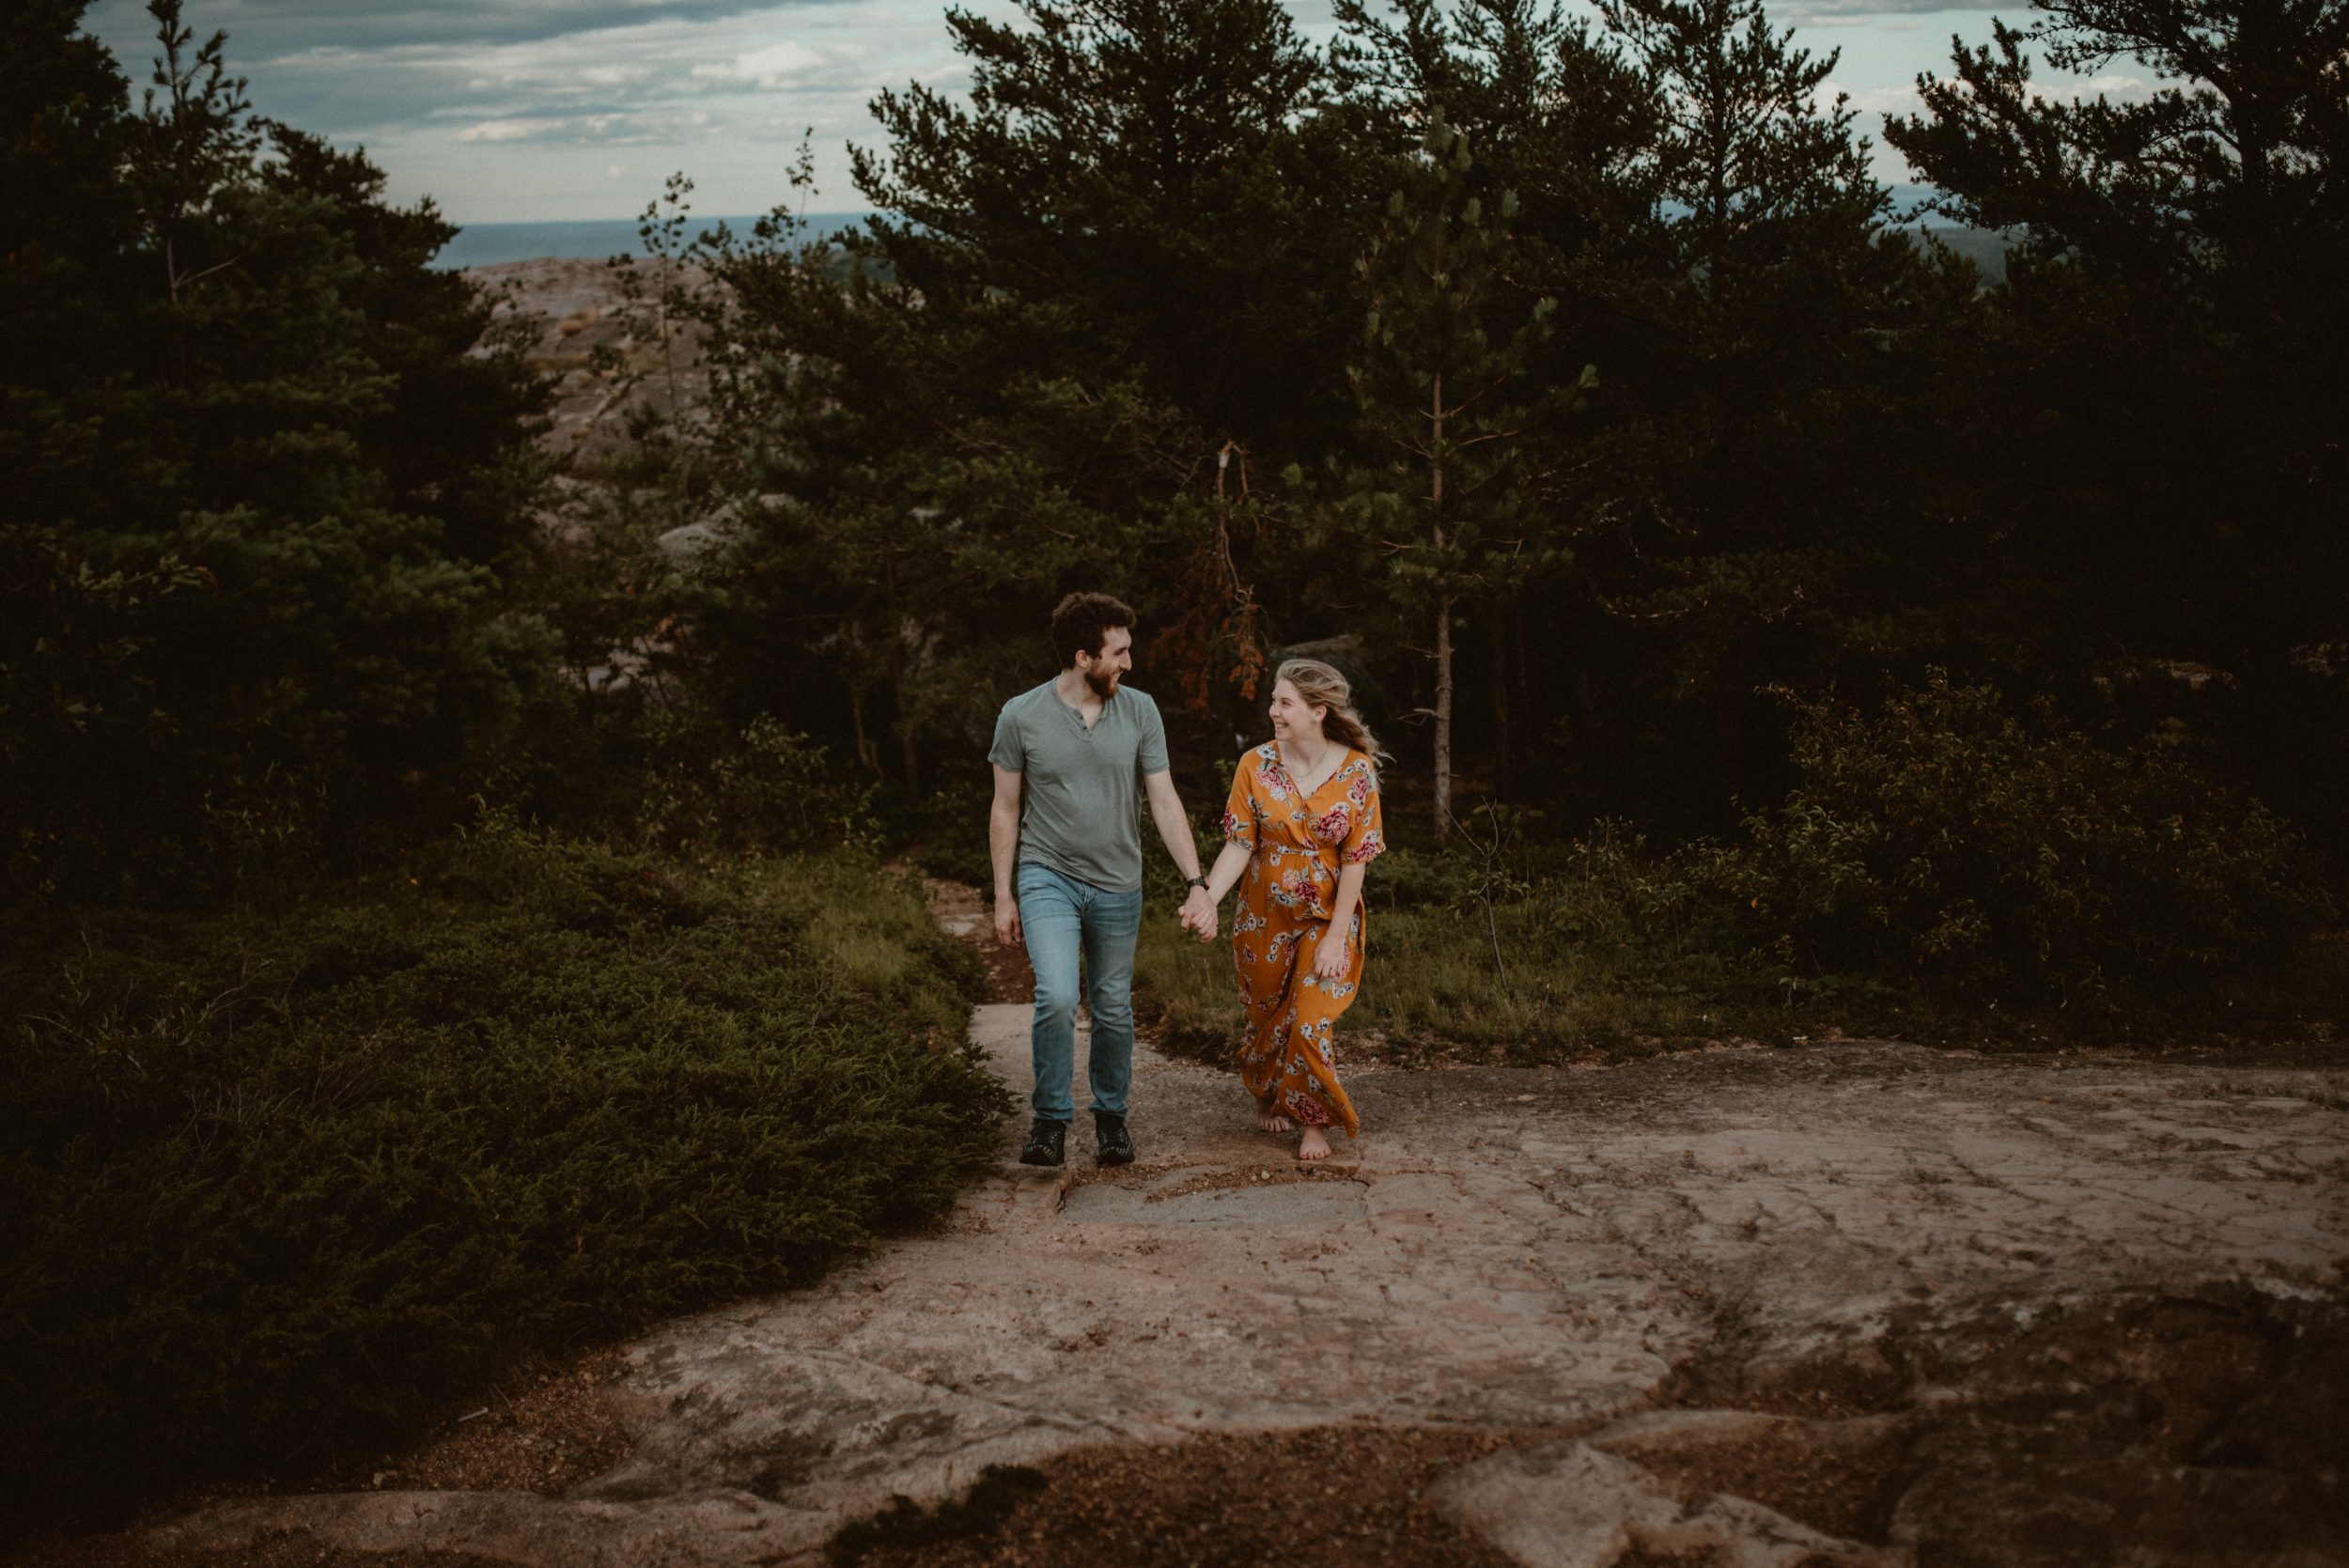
pixel 532 111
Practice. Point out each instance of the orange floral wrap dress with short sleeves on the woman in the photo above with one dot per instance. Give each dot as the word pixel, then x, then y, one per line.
pixel 1295 851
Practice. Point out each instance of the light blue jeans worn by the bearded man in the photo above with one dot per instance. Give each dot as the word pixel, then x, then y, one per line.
pixel 1068 919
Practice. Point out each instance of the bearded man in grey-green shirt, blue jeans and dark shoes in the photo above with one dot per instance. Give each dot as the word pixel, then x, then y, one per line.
pixel 1070 863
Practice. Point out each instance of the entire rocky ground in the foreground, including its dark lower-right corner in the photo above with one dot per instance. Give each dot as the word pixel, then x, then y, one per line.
pixel 1857 1304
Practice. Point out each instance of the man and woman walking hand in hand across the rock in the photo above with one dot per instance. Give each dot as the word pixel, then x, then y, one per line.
pixel 1075 762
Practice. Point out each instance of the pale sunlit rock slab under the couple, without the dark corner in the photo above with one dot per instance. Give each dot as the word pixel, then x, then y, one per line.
pixel 1509 1250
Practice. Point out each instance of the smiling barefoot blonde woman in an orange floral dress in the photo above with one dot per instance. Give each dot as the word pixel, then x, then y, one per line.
pixel 1303 823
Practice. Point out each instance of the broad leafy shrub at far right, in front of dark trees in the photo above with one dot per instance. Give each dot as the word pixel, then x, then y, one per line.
pixel 1944 839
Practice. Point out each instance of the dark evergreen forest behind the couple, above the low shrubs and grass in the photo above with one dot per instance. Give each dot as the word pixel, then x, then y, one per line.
pixel 1577 377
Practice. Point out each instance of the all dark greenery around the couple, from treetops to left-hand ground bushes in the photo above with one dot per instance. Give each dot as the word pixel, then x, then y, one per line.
pixel 1744 586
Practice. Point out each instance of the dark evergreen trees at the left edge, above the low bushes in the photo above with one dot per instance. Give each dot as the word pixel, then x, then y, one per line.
pixel 257 478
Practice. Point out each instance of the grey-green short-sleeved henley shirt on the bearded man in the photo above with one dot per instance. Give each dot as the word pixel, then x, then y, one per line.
pixel 1082 795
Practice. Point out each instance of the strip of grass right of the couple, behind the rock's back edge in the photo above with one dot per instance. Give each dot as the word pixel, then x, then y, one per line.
pixel 1610 957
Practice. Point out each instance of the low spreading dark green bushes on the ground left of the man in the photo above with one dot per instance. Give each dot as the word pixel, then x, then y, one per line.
pixel 285 1184
